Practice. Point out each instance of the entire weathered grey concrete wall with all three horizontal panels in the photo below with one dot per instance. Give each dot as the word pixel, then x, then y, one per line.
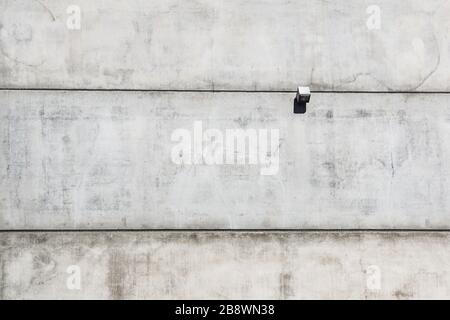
pixel 373 153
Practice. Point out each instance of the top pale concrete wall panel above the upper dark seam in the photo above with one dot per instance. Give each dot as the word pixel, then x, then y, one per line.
pixel 238 44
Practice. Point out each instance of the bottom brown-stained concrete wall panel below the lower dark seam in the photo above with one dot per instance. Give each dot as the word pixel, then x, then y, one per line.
pixel 226 265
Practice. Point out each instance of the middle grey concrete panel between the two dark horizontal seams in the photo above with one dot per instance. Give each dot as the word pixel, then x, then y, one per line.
pixel 103 160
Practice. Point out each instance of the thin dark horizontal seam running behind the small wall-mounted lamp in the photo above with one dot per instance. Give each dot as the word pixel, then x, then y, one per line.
pixel 219 91
